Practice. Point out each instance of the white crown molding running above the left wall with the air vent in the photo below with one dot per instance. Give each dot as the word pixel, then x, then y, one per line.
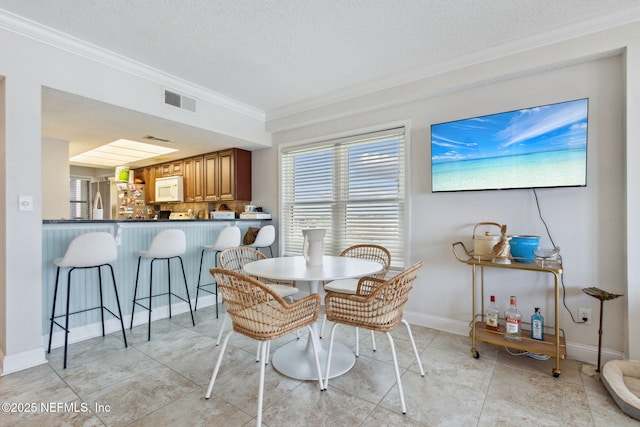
pixel 35 31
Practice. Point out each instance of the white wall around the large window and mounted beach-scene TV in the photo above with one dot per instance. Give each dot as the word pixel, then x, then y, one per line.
pixel 588 224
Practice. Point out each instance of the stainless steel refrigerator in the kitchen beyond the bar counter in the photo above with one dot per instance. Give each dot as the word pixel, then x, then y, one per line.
pixel 121 200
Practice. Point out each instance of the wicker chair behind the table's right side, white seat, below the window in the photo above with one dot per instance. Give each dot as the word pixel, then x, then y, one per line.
pixel 369 252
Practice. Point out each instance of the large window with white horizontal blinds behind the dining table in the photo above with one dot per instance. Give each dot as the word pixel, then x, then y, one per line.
pixel 354 187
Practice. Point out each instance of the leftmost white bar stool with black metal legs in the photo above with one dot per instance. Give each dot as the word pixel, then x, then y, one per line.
pixel 89 250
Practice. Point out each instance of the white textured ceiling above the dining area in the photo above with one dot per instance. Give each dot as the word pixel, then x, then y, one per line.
pixel 272 54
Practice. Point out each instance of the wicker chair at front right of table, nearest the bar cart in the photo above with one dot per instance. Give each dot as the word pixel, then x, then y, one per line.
pixel 377 305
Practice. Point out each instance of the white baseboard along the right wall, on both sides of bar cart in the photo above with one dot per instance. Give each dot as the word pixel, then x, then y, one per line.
pixel 576 351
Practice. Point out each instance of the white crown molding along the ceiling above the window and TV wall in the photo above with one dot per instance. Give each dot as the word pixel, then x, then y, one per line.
pixel 565 32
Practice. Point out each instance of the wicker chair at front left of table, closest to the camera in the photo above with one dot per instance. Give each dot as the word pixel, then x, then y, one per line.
pixel 258 312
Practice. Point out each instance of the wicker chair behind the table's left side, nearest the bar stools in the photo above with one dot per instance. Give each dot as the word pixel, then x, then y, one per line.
pixel 235 258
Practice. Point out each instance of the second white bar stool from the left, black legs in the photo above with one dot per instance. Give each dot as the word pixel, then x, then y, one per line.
pixel 166 245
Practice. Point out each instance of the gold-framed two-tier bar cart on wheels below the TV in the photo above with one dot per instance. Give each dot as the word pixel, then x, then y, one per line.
pixel 553 345
